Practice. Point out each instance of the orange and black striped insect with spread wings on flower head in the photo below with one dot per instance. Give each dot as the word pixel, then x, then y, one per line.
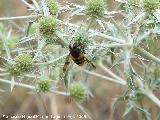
pixel 77 55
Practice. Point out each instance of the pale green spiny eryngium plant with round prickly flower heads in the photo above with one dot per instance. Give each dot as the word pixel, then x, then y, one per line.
pixel 123 42
